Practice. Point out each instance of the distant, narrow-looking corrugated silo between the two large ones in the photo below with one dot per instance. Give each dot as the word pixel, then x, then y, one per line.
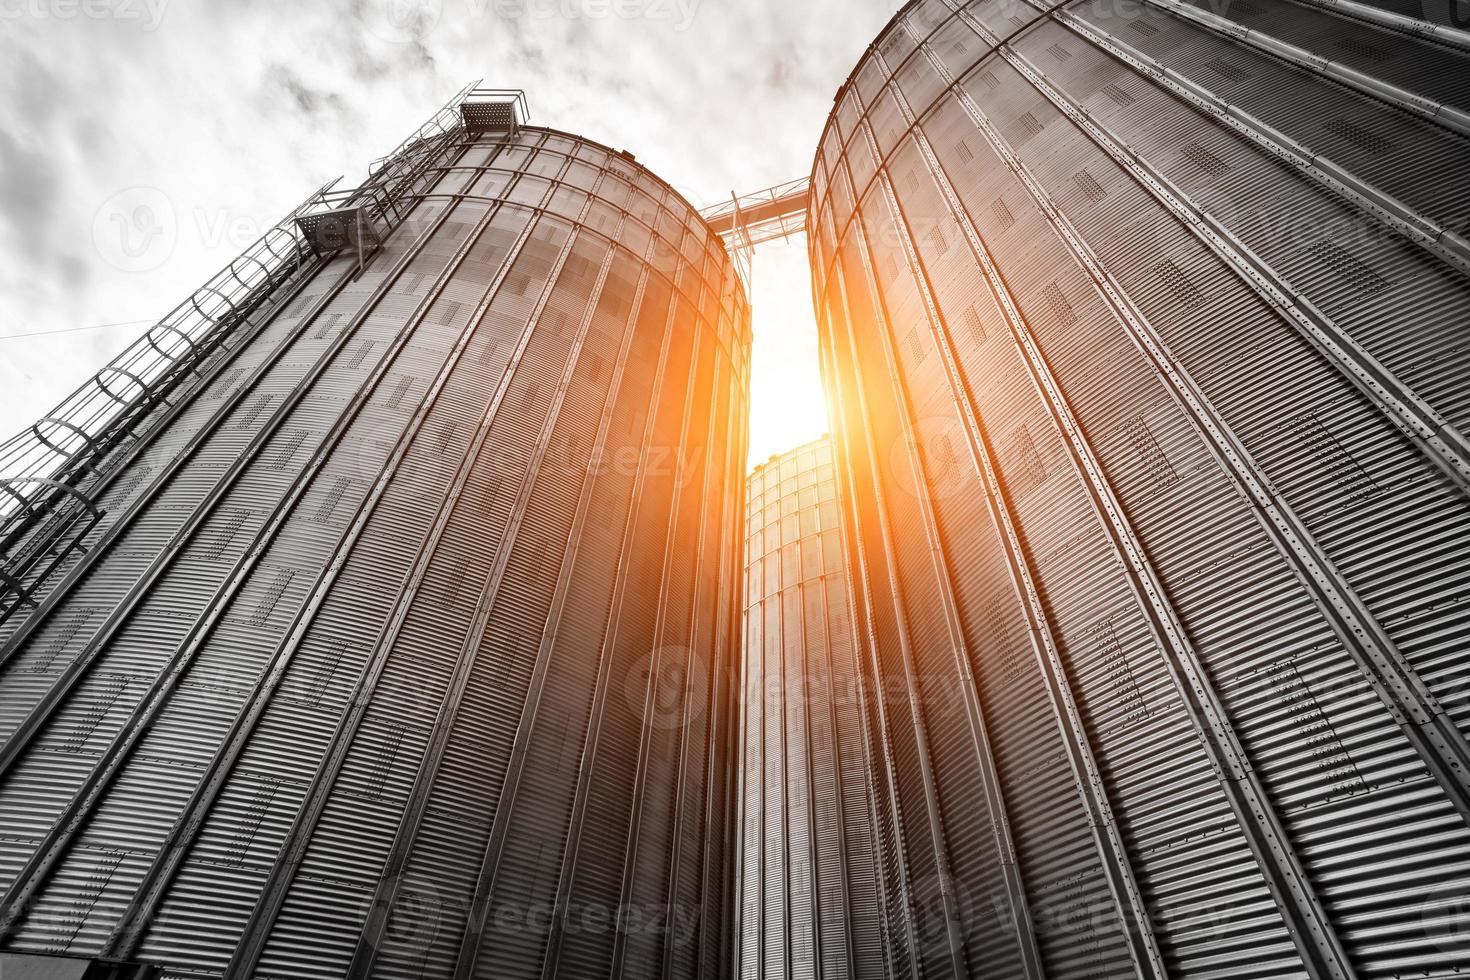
pixel 809 894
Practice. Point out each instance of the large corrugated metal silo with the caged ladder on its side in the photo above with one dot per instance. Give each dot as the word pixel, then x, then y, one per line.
pixel 408 649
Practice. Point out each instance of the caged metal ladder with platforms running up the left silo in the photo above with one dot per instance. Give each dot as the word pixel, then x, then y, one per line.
pixel 51 469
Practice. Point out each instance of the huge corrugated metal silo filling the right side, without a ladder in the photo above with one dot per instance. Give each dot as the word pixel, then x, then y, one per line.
pixel 1146 334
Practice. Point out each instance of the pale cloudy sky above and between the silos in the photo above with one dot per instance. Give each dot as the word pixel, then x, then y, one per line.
pixel 224 115
